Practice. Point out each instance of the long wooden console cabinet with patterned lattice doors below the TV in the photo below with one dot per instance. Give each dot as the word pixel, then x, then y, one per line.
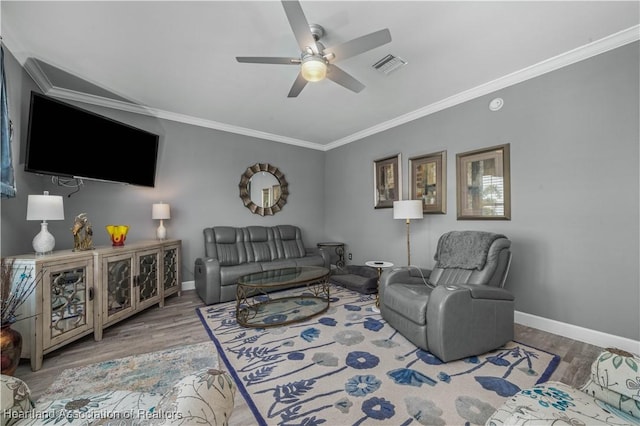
pixel 84 292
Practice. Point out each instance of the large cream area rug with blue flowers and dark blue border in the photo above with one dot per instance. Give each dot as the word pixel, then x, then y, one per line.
pixel 348 367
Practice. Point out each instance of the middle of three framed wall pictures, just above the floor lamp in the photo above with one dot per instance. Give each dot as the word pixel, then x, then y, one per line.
pixel 428 181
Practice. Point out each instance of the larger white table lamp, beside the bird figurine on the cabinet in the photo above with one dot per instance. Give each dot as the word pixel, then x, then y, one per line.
pixel 44 207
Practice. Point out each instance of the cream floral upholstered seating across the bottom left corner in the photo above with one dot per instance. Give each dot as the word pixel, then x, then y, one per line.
pixel 205 397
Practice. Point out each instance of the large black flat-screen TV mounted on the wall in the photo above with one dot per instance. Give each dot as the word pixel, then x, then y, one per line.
pixel 64 140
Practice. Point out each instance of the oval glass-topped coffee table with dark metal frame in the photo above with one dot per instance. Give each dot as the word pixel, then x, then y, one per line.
pixel 258 307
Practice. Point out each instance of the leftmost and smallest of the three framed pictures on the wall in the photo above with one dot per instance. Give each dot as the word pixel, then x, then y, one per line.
pixel 387 181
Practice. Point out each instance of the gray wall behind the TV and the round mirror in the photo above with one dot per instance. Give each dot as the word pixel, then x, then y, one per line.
pixel 198 173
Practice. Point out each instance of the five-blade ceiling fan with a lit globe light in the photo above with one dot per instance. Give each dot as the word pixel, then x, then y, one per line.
pixel 316 61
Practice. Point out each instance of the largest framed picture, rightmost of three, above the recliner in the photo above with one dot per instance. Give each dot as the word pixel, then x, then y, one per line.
pixel 484 184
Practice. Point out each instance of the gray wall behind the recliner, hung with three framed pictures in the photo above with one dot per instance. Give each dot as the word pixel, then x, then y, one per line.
pixel 575 193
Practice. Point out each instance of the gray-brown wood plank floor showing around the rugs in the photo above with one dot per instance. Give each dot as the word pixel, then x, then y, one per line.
pixel 177 324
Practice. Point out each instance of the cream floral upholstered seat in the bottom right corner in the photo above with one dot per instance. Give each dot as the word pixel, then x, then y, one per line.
pixel 610 397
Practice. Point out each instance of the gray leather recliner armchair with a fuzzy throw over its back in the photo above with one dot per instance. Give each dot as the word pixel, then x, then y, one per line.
pixel 459 308
